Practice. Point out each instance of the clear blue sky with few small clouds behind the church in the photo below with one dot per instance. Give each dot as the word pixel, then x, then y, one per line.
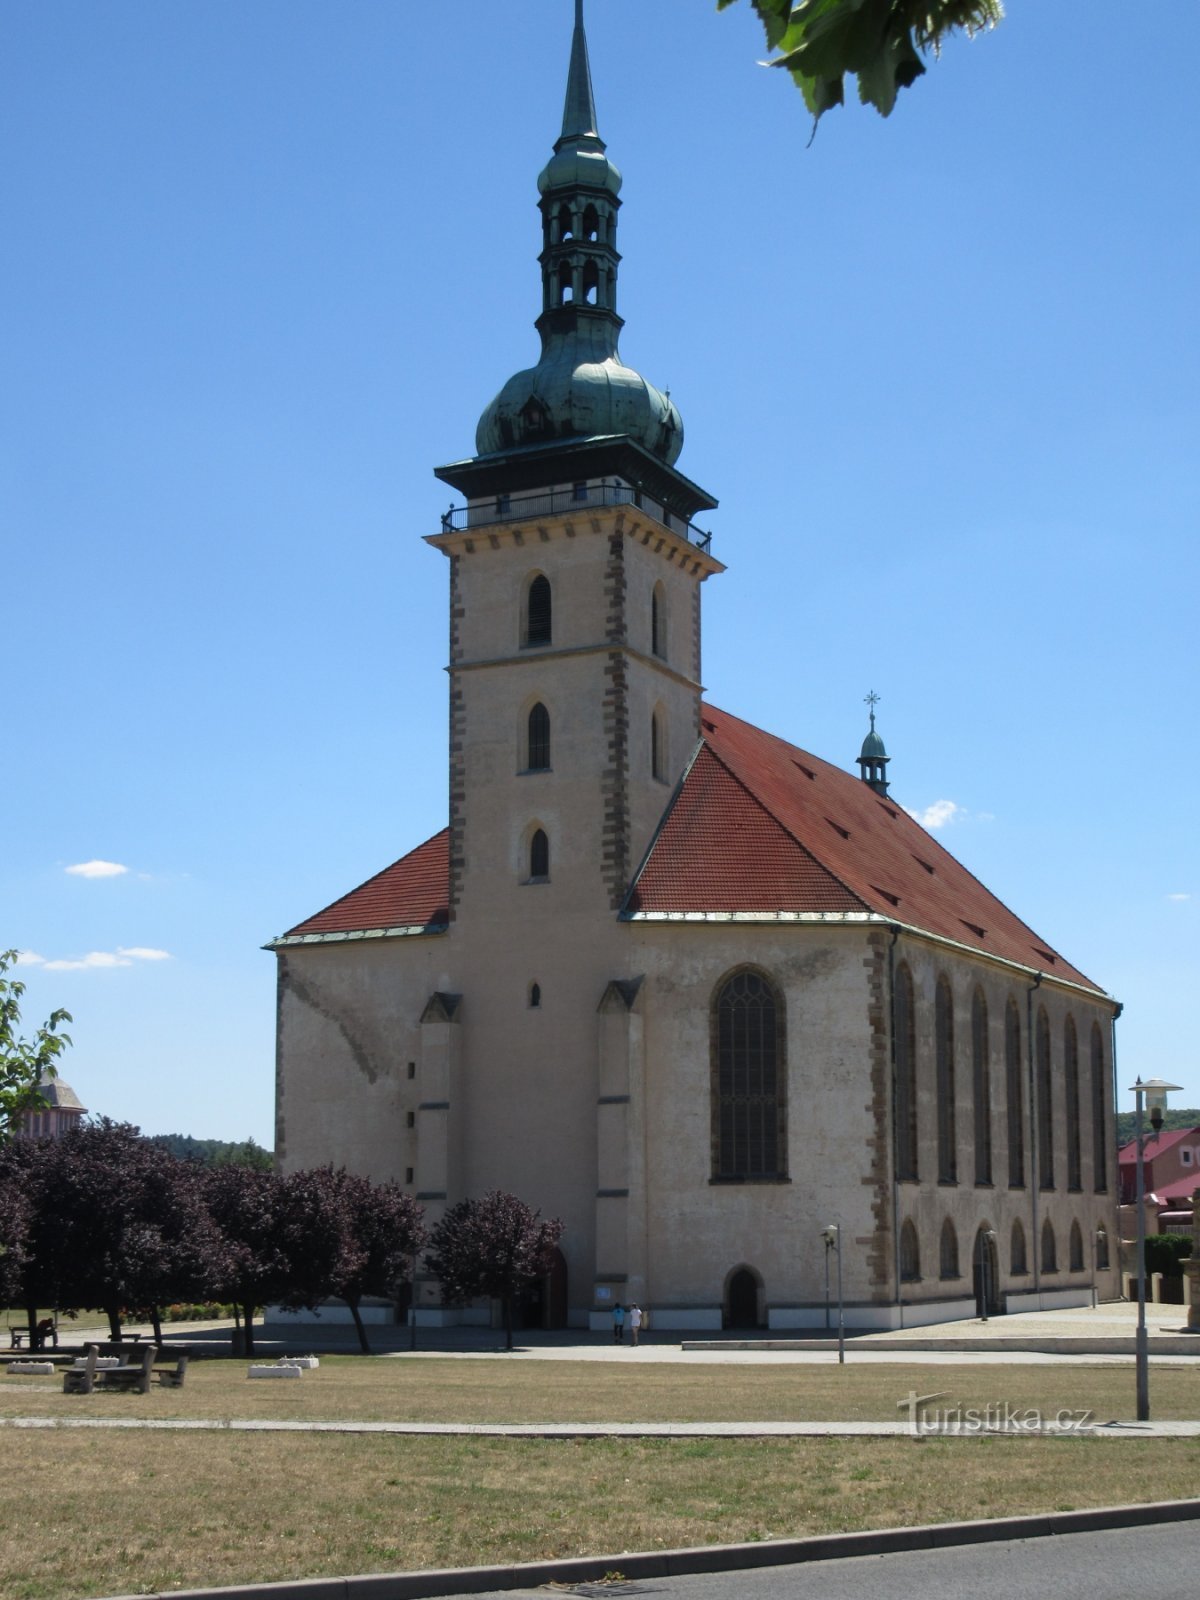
pixel 268 263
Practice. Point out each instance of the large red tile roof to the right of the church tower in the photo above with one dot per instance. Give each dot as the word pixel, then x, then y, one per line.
pixel 762 826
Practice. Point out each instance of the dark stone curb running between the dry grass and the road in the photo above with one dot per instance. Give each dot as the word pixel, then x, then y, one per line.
pixel 703 1559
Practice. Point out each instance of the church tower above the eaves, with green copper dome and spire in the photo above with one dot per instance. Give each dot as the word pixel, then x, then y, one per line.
pixel 575 572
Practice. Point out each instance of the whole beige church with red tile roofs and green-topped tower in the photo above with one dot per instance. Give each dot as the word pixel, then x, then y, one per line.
pixel 663 975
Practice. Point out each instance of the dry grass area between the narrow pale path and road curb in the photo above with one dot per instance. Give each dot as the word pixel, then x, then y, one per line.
pixel 103 1514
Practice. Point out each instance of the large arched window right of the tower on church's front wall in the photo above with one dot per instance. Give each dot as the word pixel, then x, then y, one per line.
pixel 750 1081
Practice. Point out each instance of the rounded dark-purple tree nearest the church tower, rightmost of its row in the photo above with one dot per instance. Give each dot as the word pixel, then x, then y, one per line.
pixel 495 1247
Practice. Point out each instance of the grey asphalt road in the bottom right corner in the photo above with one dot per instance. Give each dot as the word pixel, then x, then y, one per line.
pixel 1158 1561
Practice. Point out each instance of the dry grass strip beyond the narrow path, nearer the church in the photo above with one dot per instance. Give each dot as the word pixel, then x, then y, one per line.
pixel 505 1391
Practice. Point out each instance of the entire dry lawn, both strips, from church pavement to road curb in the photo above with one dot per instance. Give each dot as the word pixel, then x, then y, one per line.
pixel 105 1513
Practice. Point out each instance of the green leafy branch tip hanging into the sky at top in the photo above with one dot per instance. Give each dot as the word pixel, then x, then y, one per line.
pixel 879 42
